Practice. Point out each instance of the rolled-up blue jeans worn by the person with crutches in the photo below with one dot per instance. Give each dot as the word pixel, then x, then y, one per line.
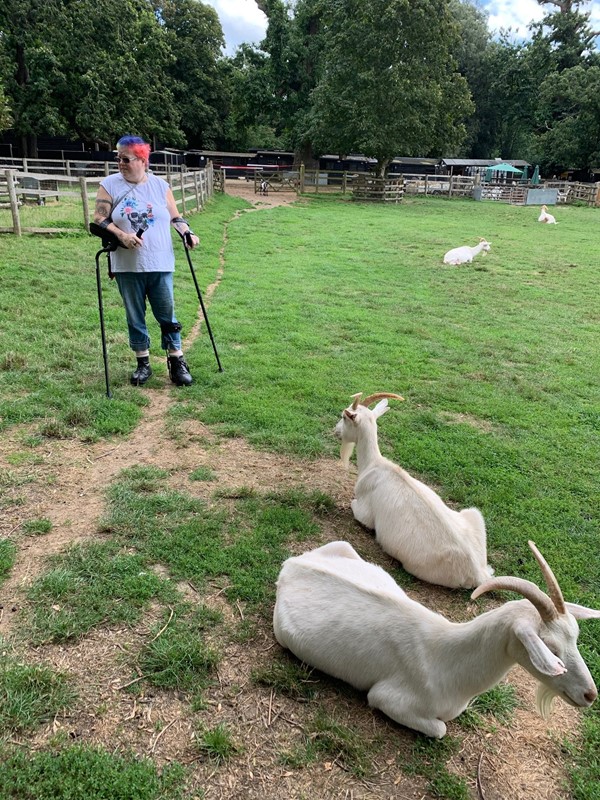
pixel 135 287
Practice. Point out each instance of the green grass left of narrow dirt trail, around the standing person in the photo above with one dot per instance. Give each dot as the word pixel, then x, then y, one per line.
pixel 53 379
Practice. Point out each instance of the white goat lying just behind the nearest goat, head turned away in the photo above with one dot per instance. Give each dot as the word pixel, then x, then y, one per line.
pixel 411 522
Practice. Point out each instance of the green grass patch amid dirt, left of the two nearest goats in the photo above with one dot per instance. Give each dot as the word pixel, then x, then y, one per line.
pixel 243 547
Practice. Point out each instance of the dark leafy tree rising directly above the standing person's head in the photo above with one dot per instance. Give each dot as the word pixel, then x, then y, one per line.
pixel 119 81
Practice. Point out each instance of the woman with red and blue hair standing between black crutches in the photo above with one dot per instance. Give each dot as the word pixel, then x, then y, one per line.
pixel 138 207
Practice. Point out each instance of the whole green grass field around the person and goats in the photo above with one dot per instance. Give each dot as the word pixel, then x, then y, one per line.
pixel 498 361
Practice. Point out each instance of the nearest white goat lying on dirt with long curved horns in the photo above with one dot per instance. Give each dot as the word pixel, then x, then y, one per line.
pixel 350 619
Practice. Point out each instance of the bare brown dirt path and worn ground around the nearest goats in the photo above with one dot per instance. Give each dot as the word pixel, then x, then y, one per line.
pixel 67 485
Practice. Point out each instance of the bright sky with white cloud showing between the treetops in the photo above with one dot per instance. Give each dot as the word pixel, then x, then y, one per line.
pixel 242 21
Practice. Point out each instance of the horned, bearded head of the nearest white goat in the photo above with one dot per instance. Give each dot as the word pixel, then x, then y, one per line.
pixel 546 645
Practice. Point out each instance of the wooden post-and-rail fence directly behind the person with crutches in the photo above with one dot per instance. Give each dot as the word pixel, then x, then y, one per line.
pixel 190 187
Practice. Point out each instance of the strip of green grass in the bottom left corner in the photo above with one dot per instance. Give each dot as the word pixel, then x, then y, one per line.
pixel 83 772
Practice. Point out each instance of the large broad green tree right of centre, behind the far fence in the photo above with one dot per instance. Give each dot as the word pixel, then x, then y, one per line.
pixel 389 83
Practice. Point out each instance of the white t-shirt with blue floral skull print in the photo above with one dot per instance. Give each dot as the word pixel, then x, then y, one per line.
pixel 141 206
